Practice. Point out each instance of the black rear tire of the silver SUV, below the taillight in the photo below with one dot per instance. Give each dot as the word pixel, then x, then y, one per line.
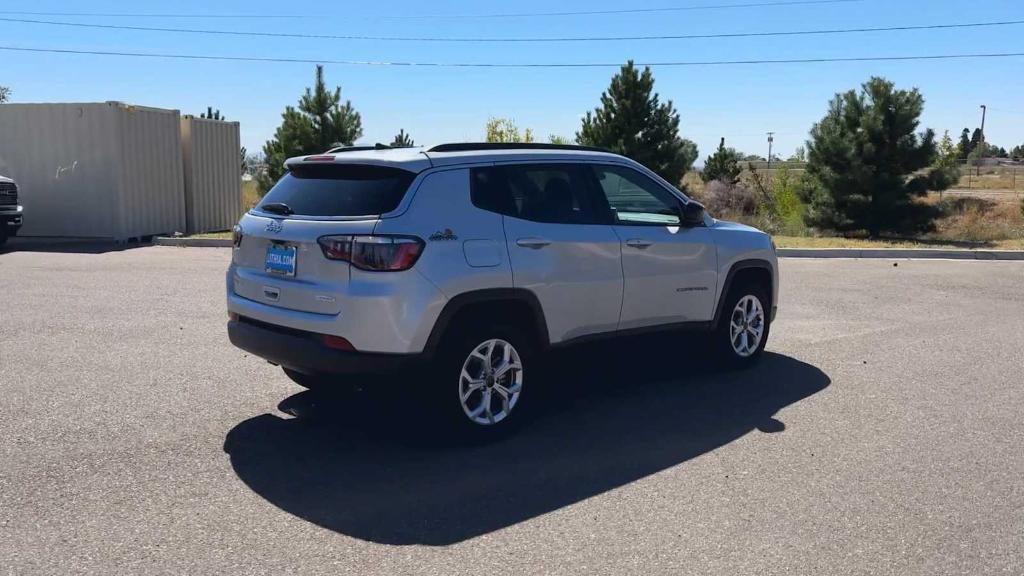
pixel 447 385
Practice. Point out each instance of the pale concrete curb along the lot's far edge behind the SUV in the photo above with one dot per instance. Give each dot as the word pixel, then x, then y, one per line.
pixel 902 254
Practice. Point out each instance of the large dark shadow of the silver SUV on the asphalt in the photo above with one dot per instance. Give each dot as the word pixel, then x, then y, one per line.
pixel 611 417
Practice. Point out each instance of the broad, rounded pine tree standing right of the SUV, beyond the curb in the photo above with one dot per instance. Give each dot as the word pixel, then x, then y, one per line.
pixel 864 159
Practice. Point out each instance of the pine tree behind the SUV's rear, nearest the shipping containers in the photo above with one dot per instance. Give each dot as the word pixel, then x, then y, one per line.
pixel 320 124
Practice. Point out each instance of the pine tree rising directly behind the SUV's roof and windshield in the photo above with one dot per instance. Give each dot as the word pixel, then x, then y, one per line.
pixel 632 121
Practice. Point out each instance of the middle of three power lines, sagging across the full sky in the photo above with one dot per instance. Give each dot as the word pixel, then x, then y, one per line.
pixel 519 40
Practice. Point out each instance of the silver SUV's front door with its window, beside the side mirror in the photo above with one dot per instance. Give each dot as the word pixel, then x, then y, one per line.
pixel 670 271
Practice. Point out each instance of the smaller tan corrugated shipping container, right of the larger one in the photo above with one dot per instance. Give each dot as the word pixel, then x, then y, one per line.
pixel 214 174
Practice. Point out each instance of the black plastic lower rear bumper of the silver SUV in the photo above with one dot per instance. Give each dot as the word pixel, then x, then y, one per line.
pixel 305 352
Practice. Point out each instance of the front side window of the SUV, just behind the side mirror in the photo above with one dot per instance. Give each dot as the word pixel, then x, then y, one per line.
pixel 635 198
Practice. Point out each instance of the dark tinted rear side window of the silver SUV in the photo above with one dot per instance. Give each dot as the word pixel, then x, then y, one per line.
pixel 543 193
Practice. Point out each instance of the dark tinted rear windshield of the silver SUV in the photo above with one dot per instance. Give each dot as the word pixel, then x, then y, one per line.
pixel 340 190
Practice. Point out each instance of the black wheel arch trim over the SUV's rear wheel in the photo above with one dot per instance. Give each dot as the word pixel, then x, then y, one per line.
pixel 522 305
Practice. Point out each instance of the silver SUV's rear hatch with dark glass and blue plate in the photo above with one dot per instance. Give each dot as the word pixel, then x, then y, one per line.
pixel 279 261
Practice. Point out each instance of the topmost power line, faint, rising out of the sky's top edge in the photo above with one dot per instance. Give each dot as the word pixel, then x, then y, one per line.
pixel 450 17
